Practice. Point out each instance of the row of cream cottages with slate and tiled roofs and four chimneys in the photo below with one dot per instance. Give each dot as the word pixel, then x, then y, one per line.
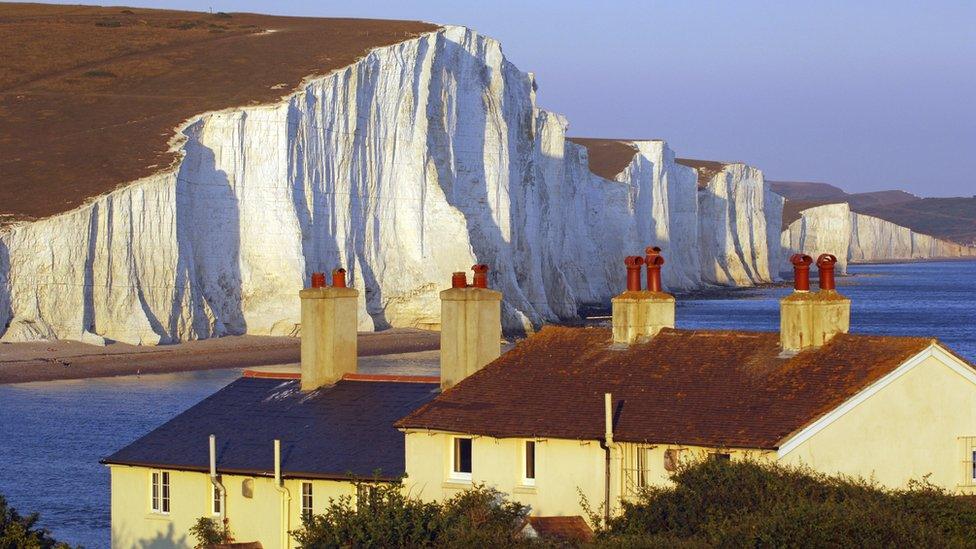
pixel 568 411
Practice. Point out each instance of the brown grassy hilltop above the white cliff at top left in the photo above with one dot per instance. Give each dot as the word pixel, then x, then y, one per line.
pixel 90 96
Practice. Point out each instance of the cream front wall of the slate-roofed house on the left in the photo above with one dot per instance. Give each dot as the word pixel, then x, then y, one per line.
pixel 250 519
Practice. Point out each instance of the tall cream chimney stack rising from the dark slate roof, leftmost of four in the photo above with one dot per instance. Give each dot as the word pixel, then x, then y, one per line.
pixel 329 322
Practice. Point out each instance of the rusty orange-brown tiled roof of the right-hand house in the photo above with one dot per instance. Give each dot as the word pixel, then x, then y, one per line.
pixel 709 388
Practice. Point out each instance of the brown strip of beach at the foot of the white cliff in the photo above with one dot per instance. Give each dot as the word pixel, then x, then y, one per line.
pixel 50 360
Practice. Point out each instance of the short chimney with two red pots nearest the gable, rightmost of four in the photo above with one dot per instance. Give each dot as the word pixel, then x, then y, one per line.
pixel 811 319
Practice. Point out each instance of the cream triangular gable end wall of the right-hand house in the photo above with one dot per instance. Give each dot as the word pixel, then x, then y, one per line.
pixel 908 429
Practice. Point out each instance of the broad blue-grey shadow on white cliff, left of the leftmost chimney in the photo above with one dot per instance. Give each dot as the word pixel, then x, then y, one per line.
pixel 208 274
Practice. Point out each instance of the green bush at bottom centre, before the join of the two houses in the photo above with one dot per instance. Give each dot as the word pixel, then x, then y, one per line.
pixel 384 516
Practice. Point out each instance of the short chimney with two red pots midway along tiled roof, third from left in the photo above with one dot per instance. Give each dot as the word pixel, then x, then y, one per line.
pixel 640 314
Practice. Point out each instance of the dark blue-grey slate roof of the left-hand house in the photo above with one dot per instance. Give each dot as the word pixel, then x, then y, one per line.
pixel 336 432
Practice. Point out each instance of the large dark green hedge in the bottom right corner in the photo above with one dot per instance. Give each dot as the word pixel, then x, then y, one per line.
pixel 752 504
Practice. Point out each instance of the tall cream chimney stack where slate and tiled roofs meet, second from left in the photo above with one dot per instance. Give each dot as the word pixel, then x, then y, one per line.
pixel 471 326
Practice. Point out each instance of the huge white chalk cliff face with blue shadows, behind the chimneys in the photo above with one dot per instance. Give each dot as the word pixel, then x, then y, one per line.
pixel 423 158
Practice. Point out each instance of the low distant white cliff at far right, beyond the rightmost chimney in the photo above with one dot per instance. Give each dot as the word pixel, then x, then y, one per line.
pixel 855 237
